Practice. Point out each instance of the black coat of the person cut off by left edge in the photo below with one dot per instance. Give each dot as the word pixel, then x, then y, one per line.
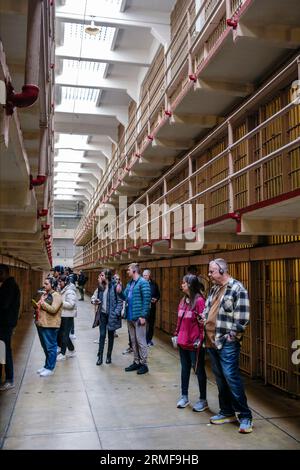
pixel 9 302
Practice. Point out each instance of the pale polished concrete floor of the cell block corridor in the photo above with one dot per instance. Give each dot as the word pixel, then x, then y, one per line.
pixel 83 406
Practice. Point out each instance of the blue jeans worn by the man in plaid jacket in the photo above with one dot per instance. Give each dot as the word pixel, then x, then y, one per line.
pixel 225 366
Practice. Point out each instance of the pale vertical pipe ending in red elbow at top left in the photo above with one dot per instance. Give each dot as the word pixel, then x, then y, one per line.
pixel 30 89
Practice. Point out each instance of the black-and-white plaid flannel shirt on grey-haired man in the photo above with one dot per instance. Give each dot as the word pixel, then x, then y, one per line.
pixel 234 312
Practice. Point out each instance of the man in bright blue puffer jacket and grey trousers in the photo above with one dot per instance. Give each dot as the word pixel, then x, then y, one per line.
pixel 137 296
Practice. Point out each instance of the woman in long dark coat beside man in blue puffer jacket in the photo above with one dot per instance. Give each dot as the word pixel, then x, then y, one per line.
pixel 110 305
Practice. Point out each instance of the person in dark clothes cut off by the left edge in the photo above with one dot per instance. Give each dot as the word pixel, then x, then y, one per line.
pixel 9 312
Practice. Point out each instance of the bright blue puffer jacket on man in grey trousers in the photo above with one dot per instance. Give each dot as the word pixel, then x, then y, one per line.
pixel 141 298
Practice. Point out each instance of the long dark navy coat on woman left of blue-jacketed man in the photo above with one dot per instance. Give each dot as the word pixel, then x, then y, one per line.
pixel 114 306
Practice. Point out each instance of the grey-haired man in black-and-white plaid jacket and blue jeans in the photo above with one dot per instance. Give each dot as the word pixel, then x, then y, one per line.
pixel 227 315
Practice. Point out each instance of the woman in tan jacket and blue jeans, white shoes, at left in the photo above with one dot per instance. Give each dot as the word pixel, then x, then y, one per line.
pixel 47 320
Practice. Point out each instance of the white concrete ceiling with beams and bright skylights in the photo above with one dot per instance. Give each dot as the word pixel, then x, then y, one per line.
pixel 108 69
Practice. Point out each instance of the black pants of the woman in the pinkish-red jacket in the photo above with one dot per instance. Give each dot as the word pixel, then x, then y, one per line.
pixel 188 360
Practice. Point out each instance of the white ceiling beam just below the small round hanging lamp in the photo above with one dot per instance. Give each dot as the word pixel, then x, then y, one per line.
pixel 137 57
